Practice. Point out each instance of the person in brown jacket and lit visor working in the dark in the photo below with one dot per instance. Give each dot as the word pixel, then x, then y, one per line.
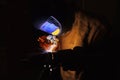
pixel 71 45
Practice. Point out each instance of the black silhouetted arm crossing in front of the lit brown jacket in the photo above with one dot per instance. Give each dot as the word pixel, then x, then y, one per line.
pixel 72 59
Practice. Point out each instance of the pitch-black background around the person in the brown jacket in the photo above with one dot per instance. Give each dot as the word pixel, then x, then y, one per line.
pixel 16 33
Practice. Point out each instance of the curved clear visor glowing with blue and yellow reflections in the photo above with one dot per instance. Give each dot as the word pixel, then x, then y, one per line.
pixel 50 25
